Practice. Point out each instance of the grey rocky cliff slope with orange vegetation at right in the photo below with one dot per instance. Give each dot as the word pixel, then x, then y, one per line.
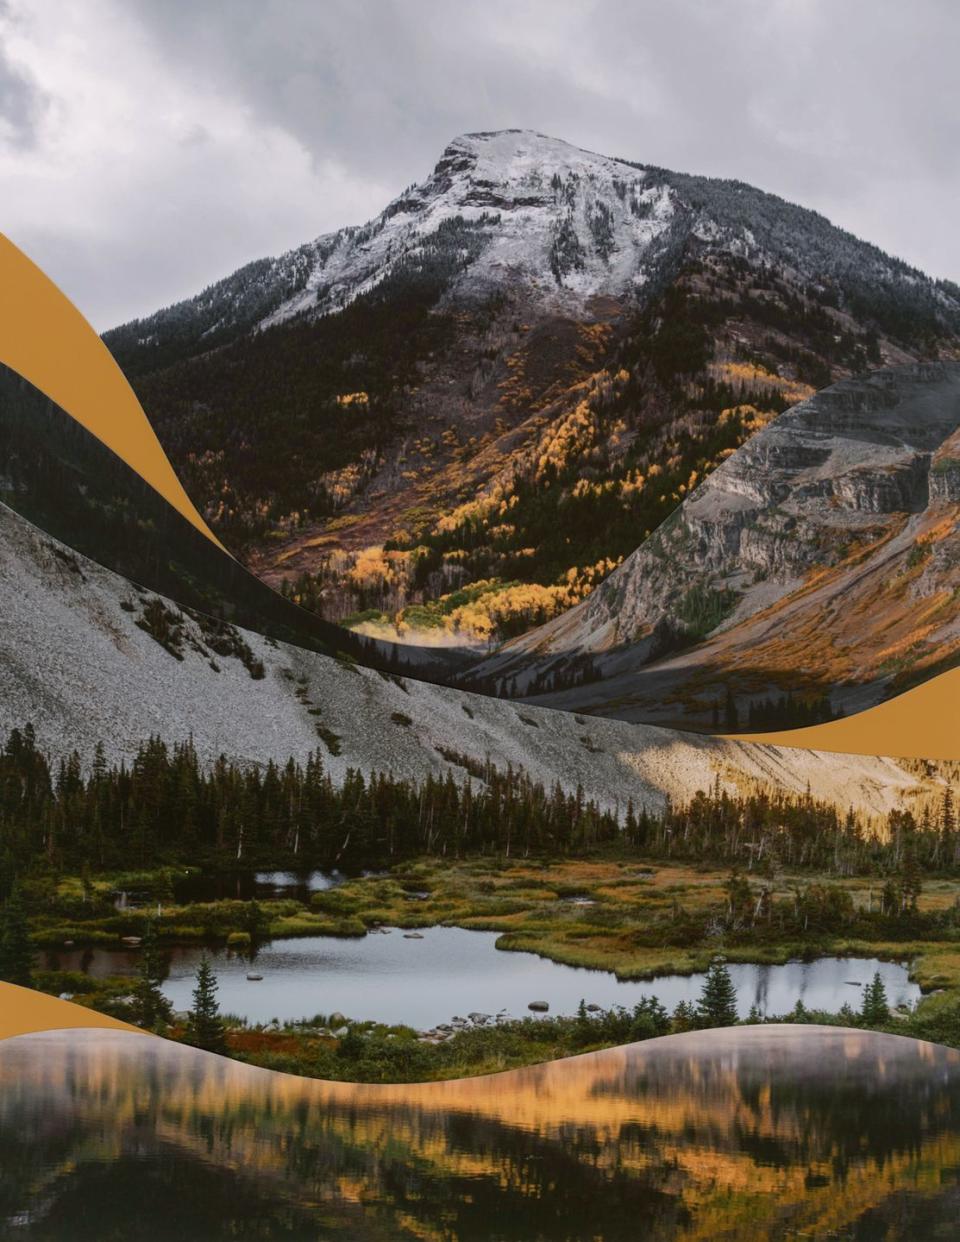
pixel 854 487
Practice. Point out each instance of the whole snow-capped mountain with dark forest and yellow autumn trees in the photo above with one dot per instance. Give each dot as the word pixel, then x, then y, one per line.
pixel 451 424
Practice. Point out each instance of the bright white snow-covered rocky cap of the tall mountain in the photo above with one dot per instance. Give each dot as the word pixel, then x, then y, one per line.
pixel 514 202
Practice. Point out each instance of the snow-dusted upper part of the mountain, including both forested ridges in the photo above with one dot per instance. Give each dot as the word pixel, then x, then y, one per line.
pixel 515 207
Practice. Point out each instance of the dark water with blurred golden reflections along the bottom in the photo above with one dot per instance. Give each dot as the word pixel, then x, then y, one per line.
pixel 749 1133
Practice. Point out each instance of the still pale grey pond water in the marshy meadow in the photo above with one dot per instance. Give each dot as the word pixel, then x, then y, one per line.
pixel 454 972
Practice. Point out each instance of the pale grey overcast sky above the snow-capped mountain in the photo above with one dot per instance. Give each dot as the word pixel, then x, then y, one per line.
pixel 151 147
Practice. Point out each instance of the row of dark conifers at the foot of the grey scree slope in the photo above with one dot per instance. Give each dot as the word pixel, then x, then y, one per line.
pixel 166 807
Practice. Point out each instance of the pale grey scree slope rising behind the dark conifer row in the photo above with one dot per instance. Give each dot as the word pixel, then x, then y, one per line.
pixel 88 658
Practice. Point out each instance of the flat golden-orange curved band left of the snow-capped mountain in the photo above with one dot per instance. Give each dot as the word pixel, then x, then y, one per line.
pixel 47 340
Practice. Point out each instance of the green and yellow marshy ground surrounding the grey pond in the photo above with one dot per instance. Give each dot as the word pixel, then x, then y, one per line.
pixel 638 918
